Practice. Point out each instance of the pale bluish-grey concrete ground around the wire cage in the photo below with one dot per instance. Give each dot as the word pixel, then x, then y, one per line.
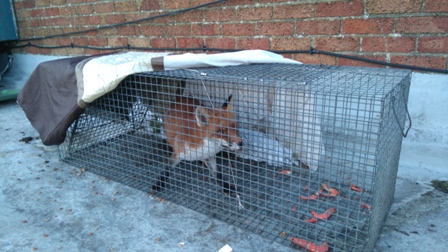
pixel 47 205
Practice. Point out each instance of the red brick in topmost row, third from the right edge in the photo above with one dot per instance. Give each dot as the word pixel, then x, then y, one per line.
pixel 340 9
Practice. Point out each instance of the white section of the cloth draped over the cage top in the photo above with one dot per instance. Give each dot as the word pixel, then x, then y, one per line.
pixel 103 74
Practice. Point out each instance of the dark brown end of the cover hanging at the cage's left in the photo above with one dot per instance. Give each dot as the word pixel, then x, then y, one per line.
pixel 49 98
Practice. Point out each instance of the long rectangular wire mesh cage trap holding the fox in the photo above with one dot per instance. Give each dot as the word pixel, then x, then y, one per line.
pixel 308 133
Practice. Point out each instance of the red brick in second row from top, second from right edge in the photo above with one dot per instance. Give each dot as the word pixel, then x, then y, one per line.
pixel 367 26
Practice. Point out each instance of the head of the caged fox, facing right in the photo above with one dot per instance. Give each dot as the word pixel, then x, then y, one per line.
pixel 219 124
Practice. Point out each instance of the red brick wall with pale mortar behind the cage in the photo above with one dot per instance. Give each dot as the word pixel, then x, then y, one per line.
pixel 413 32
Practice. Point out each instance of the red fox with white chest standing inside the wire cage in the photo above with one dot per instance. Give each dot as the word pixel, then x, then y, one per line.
pixel 197 133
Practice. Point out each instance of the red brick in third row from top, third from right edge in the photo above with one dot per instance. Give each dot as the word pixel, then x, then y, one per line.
pixel 335 44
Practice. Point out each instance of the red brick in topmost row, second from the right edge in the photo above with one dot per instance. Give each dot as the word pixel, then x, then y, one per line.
pixel 393 6
